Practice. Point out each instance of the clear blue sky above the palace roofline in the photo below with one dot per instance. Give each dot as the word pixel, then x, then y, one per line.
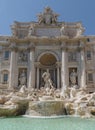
pixel 27 10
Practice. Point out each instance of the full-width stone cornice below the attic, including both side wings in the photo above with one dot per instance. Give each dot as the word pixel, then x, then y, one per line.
pixel 46 40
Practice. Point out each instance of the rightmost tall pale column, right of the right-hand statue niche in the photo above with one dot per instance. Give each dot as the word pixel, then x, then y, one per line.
pixel 83 71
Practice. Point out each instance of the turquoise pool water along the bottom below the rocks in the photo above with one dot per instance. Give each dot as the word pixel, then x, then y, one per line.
pixel 66 123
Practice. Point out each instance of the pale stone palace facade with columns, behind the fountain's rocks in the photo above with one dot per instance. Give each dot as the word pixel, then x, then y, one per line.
pixel 47 45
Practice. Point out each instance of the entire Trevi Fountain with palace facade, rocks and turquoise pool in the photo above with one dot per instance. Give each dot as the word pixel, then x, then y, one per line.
pixel 47 89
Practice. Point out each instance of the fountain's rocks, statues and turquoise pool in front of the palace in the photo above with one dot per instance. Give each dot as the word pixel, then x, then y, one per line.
pixel 48 106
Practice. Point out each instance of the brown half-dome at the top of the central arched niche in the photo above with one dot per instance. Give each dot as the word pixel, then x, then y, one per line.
pixel 48 59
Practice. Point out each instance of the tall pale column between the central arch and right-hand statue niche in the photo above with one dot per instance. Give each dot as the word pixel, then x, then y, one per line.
pixel 64 69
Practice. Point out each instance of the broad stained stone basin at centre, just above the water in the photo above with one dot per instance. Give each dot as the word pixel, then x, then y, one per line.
pixel 46 108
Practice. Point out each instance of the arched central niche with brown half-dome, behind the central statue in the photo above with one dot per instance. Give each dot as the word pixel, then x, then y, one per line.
pixel 48 62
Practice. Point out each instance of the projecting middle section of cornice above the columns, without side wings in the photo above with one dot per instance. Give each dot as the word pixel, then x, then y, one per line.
pixel 45 39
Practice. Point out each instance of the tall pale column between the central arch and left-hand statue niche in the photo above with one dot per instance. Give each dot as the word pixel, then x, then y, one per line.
pixel 31 68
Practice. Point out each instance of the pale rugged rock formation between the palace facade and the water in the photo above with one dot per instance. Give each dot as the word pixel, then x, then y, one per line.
pixel 68 101
